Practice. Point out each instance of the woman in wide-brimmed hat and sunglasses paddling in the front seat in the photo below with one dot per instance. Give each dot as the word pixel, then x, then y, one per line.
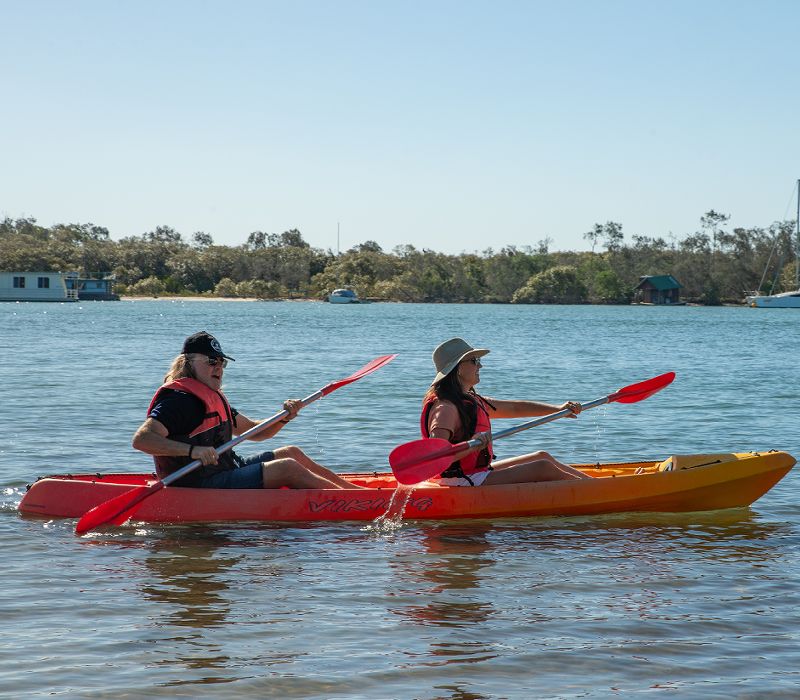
pixel 454 411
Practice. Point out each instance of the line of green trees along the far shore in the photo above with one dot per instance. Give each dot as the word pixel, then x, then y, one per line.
pixel 713 264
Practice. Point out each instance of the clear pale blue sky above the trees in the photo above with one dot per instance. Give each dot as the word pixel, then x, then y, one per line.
pixel 454 126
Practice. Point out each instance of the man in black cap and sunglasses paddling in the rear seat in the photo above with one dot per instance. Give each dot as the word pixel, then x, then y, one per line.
pixel 189 417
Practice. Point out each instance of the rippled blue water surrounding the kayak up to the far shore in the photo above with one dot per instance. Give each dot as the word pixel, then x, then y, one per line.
pixel 702 604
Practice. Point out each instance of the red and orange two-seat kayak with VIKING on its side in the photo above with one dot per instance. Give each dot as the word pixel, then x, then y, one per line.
pixel 677 484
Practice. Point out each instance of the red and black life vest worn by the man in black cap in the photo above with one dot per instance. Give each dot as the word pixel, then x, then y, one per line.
pixel 215 429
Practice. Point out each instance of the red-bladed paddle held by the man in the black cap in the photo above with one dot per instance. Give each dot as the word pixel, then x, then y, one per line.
pixel 119 509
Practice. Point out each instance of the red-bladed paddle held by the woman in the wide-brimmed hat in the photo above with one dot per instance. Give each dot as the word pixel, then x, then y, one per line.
pixel 423 459
